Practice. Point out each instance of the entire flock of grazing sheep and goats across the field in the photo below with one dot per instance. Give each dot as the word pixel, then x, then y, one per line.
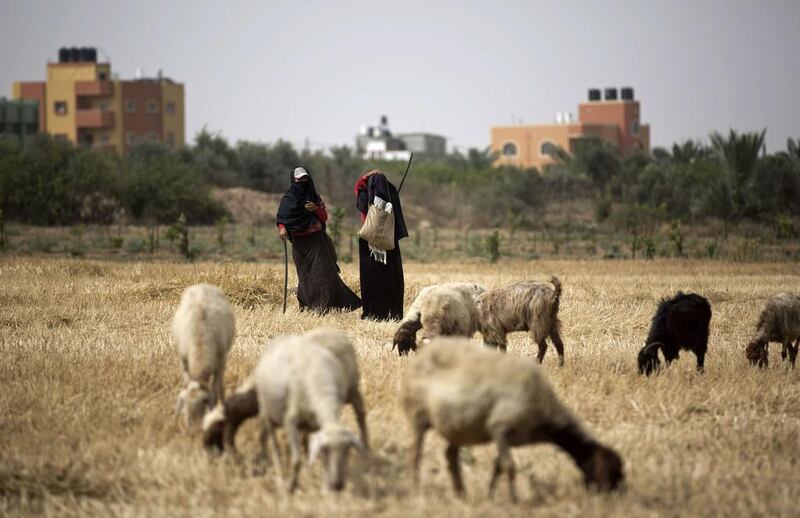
pixel 469 394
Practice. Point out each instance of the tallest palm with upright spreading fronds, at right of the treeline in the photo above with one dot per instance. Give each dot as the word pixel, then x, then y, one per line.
pixel 739 155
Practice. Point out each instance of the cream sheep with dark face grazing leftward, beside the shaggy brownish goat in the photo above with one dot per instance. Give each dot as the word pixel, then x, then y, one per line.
pixel 441 309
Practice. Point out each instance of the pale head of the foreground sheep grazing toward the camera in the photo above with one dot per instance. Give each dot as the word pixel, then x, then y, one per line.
pixel 332 445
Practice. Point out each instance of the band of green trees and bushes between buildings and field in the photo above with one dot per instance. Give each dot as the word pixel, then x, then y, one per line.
pixel 50 182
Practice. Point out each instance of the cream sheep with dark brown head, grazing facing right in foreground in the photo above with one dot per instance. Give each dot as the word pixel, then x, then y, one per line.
pixel 473 395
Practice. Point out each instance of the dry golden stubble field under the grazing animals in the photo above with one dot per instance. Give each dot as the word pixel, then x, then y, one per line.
pixel 89 376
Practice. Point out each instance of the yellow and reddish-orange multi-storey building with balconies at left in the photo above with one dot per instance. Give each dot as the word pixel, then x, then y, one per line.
pixel 82 102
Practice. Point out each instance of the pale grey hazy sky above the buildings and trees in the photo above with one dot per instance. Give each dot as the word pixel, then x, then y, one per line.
pixel 319 70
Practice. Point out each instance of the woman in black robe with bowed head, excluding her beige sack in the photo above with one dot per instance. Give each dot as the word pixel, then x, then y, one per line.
pixel 382 283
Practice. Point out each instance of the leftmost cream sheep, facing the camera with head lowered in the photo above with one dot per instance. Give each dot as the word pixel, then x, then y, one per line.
pixel 203 329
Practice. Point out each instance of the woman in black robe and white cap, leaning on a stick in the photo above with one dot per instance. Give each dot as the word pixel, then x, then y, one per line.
pixel 301 219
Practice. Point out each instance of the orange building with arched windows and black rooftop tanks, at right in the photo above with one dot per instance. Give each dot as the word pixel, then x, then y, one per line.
pixel 614 120
